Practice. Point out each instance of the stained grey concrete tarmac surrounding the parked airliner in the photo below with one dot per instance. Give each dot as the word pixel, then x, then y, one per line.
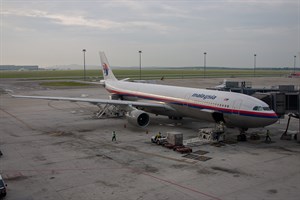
pixel 58 150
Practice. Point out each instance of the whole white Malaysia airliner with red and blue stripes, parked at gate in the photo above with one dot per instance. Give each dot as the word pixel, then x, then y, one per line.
pixel 233 109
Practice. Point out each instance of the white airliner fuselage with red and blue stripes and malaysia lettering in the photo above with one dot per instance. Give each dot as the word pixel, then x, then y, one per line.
pixel 236 110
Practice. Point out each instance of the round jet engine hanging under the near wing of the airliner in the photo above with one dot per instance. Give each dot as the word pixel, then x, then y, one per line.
pixel 138 118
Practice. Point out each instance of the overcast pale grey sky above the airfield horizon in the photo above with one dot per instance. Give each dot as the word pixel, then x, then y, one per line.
pixel 169 32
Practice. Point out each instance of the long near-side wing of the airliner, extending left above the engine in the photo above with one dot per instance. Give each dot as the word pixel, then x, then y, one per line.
pixel 102 101
